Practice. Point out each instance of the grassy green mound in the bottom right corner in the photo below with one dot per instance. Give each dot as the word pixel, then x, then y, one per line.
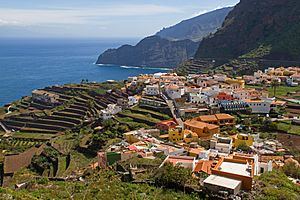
pixel 276 185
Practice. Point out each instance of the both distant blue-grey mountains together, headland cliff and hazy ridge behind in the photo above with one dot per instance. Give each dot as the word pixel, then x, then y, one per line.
pixel 170 46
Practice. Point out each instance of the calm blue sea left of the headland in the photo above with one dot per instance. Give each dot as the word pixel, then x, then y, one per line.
pixel 27 64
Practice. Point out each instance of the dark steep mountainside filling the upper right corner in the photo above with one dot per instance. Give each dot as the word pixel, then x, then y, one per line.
pixel 267 29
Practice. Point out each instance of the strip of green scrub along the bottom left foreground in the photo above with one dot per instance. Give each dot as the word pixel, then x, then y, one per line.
pixel 102 185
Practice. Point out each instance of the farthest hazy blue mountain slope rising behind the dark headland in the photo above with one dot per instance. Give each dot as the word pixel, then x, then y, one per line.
pixel 196 28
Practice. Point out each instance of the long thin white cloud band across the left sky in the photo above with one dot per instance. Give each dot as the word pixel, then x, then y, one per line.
pixel 29 17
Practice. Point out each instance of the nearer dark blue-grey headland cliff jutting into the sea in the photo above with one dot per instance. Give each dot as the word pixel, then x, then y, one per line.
pixel 152 51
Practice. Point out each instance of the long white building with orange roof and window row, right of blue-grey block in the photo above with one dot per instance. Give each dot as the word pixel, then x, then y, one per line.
pixel 259 106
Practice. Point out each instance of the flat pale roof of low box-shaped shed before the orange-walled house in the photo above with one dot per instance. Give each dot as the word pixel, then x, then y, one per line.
pixel 222 181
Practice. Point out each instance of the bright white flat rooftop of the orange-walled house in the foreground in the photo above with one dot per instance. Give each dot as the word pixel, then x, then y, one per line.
pixel 235 168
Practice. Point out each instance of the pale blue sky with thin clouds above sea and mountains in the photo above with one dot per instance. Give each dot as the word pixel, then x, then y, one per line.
pixel 97 18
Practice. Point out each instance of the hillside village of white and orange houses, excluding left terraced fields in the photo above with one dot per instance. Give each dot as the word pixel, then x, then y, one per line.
pixel 205 135
